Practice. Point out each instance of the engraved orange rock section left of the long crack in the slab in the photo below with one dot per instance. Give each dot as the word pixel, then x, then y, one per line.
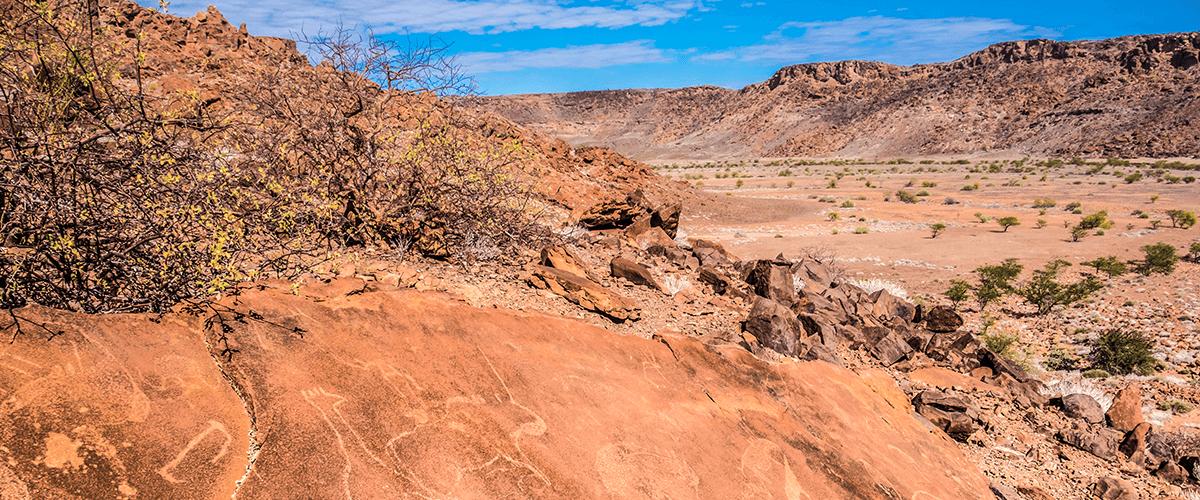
pixel 117 407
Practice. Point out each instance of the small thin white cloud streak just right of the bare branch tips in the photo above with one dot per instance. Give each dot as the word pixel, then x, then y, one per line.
pixel 578 57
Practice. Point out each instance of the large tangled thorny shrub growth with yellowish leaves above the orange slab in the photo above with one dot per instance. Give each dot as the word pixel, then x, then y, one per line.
pixel 116 200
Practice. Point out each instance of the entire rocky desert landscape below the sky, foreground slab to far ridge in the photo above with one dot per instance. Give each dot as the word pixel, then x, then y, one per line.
pixel 239 266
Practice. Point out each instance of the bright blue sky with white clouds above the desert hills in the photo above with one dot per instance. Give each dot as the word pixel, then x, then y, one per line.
pixel 555 46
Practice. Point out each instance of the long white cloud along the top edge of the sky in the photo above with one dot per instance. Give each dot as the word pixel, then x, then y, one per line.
pixel 286 17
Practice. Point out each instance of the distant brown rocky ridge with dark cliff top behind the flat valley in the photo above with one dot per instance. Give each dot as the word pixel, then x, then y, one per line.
pixel 1132 97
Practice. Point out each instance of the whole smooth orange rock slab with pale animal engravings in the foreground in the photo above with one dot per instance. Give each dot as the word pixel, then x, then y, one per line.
pixel 413 393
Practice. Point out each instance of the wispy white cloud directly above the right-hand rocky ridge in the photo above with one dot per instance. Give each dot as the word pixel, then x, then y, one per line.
pixel 887 39
